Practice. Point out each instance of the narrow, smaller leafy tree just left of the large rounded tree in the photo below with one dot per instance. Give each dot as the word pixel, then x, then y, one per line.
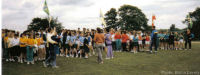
pixel 111 18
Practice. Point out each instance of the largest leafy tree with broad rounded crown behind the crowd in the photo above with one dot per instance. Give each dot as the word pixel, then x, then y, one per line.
pixel 131 18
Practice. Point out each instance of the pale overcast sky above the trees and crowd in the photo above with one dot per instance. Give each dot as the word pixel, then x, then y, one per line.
pixel 17 14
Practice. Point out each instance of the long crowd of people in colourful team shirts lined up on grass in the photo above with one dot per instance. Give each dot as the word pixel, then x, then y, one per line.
pixel 45 45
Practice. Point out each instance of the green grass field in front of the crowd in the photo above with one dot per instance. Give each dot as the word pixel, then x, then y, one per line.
pixel 162 63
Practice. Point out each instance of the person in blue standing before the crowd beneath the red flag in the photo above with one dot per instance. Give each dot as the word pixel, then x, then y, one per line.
pixel 153 39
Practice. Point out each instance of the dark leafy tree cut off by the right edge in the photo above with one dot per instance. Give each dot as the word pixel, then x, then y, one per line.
pixel 195 15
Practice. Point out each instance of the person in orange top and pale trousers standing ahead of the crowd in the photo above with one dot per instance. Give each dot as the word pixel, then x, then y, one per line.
pixel 99 40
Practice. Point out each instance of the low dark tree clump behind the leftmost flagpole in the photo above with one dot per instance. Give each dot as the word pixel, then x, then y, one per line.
pixel 43 23
